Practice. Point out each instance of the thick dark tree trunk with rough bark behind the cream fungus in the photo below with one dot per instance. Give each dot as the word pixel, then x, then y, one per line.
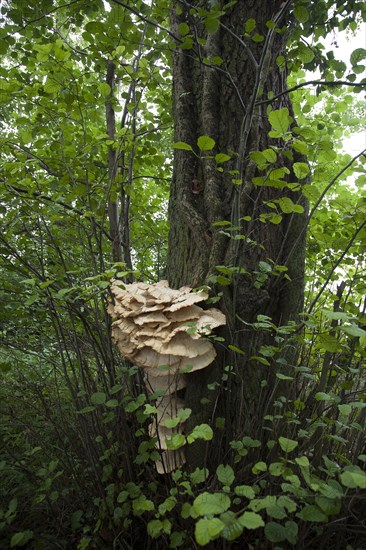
pixel 222 101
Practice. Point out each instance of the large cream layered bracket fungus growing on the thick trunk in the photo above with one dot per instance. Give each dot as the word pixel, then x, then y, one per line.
pixel 164 332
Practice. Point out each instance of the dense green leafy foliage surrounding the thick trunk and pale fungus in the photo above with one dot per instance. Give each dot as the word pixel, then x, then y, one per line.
pixel 86 131
